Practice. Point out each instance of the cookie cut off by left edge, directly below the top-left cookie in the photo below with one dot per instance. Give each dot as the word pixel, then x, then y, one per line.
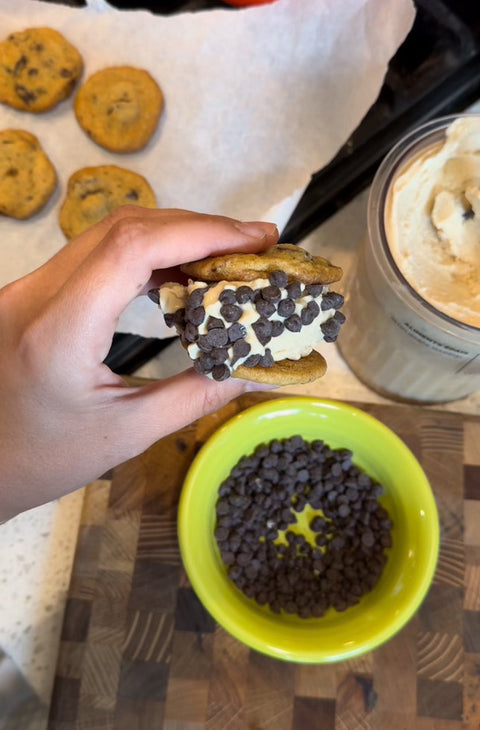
pixel 27 177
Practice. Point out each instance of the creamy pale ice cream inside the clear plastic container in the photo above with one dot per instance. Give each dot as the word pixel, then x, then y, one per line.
pixel 432 222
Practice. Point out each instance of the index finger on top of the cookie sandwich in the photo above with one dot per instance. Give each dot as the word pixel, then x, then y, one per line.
pixel 121 266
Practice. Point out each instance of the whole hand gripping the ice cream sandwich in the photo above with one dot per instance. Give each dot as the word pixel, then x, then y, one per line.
pixel 65 417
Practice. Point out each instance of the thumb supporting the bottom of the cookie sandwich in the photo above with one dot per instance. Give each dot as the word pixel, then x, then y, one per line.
pixel 164 407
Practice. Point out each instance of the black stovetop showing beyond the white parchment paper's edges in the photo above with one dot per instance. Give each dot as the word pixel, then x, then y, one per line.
pixel 436 71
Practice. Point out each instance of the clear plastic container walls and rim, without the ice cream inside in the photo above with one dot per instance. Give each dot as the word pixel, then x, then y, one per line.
pixel 394 341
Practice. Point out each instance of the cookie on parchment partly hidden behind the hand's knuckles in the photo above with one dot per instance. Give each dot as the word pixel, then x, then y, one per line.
pixel 93 192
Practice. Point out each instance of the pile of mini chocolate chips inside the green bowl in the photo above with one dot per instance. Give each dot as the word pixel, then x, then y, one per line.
pixel 349 529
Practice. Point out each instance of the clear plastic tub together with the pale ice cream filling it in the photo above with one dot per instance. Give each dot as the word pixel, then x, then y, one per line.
pixel 413 297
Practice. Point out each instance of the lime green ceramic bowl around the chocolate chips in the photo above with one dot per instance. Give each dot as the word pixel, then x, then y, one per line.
pixel 408 497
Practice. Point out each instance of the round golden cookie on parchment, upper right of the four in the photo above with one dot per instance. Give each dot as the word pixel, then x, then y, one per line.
pixel 119 108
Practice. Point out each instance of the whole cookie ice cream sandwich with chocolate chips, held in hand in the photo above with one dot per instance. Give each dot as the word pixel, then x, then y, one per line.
pixel 256 316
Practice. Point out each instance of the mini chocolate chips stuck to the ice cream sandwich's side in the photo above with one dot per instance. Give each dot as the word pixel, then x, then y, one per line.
pixel 223 344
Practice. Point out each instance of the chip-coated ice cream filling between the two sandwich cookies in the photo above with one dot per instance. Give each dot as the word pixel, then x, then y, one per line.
pixel 230 323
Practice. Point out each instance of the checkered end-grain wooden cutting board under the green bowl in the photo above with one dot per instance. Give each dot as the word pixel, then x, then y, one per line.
pixel 139 652
